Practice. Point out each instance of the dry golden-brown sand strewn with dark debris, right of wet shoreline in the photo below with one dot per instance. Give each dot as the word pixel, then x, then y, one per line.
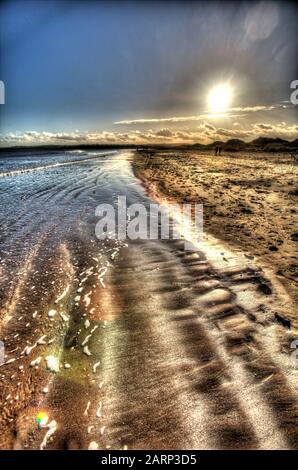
pixel 250 200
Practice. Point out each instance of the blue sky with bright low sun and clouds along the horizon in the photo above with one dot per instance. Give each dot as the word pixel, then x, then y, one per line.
pixel 146 71
